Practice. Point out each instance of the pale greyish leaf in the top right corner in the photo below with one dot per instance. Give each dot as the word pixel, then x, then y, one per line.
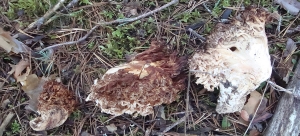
pixel 292 6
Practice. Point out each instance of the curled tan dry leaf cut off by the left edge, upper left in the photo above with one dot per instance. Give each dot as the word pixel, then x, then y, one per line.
pixel 9 43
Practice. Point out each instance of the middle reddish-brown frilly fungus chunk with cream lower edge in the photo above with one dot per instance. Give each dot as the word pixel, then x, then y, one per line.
pixel 152 78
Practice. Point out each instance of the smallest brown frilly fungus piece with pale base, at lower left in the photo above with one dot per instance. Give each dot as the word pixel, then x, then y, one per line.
pixel 55 104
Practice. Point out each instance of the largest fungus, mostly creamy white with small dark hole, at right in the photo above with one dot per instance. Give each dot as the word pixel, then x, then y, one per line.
pixel 236 59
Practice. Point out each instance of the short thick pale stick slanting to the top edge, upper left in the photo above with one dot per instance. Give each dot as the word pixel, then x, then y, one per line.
pixel 41 20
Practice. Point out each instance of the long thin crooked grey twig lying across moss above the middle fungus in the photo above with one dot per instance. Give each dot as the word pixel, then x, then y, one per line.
pixel 125 20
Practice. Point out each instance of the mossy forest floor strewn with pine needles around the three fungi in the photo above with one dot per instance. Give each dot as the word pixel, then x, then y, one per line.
pixel 79 63
